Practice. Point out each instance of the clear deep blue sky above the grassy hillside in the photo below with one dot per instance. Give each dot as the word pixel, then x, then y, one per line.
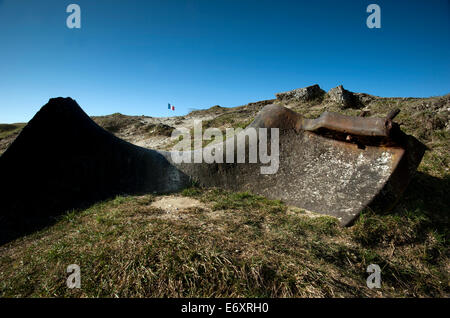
pixel 134 57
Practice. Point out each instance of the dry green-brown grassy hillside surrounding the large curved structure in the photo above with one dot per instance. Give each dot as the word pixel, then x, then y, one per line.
pixel 226 244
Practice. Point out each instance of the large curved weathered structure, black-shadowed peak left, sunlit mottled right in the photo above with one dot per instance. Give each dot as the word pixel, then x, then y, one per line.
pixel 63 160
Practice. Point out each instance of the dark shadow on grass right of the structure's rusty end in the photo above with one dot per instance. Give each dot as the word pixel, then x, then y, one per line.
pixel 422 211
